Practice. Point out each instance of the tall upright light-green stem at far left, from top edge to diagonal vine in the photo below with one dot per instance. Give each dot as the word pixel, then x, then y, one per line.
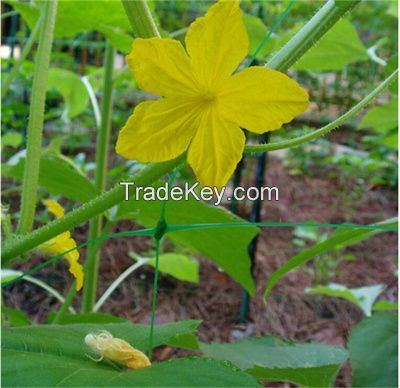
pixel 36 118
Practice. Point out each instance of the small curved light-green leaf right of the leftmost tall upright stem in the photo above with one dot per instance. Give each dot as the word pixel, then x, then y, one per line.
pixel 71 87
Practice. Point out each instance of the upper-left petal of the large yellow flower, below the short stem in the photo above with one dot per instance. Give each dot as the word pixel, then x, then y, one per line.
pixel 161 66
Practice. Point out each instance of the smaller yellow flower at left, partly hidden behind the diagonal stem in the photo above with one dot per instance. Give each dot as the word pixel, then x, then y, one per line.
pixel 63 242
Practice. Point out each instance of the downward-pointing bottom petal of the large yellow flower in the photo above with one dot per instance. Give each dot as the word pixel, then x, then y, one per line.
pixel 215 150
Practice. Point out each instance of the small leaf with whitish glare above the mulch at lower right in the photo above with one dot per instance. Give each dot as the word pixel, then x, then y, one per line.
pixel 363 297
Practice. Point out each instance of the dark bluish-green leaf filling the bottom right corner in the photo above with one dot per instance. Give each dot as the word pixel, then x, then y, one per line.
pixel 373 346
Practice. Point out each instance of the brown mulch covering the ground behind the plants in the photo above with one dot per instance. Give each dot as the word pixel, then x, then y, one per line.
pixel 289 313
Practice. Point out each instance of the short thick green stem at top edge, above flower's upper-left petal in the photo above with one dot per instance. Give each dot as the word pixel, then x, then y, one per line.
pixel 140 17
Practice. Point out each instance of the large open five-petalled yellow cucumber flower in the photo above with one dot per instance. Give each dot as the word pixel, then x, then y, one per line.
pixel 204 105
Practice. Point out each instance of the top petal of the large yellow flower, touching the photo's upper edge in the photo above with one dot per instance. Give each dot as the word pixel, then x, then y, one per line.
pixel 217 42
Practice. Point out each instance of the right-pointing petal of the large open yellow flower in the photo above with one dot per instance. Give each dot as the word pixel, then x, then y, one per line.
pixel 261 99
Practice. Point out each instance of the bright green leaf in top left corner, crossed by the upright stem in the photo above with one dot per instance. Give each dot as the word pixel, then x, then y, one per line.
pixel 77 16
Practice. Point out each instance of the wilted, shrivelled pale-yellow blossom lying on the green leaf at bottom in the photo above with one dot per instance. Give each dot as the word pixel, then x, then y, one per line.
pixel 116 349
